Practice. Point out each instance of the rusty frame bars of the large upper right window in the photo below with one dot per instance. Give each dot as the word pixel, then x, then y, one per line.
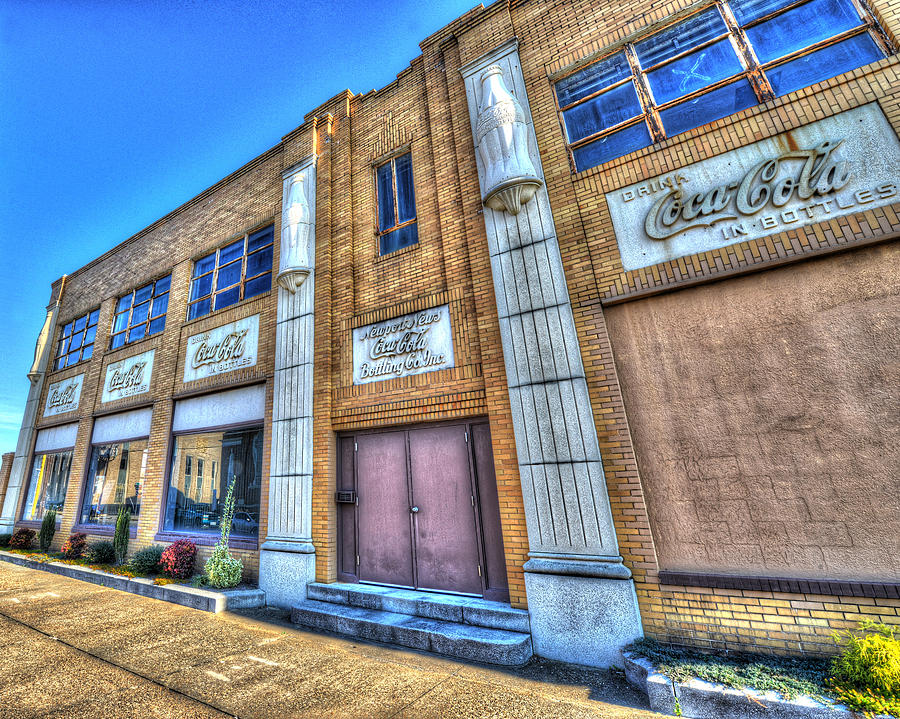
pixel 752 70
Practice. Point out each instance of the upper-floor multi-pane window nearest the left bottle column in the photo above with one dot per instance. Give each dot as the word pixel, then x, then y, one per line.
pixel 232 273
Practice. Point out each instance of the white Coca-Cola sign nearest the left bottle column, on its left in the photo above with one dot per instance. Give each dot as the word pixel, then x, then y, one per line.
pixel 223 349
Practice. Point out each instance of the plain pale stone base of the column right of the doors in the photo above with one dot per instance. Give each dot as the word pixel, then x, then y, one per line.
pixel 582 620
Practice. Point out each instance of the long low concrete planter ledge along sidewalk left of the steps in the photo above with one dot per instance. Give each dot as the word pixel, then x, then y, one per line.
pixel 203 599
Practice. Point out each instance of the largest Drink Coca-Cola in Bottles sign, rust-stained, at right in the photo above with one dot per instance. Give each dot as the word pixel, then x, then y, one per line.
pixel 846 163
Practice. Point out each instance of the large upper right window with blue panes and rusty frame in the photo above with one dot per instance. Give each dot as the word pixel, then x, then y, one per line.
pixel 720 60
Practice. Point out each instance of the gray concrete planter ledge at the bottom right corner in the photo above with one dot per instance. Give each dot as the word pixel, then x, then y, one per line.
pixel 698 699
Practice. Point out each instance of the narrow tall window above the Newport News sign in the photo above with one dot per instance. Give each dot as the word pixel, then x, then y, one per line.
pixel 396 205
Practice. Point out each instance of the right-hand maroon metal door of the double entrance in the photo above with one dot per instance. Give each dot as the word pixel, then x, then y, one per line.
pixel 444 516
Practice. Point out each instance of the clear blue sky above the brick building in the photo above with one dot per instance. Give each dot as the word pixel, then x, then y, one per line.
pixel 114 112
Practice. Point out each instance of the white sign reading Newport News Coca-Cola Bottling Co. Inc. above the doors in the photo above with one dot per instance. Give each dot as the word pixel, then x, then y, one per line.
pixel 411 344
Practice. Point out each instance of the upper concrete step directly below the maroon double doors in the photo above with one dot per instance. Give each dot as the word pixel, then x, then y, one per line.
pixel 446 607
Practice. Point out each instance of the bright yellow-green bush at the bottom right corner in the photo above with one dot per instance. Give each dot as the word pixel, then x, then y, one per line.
pixel 866 674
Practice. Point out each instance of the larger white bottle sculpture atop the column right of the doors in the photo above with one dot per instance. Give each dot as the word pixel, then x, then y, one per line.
pixel 501 137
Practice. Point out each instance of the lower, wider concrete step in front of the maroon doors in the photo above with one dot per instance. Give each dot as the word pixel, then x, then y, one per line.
pixel 462 641
